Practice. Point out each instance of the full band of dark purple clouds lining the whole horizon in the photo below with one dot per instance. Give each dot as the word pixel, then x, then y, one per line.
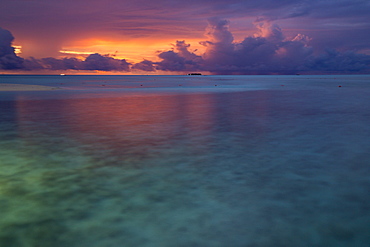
pixel 268 51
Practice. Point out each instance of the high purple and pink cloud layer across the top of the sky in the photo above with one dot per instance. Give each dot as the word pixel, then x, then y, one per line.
pixel 54 24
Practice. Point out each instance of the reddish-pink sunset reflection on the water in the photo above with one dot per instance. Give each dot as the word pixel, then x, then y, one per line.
pixel 146 126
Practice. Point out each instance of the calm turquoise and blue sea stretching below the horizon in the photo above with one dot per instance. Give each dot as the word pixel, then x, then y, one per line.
pixel 186 161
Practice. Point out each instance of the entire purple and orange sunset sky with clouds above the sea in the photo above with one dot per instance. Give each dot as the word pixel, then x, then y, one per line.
pixel 177 37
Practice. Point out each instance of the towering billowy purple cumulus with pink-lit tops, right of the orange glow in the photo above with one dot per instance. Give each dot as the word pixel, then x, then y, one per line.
pixel 266 52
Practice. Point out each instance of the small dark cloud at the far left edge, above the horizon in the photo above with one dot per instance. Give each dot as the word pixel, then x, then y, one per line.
pixel 8 59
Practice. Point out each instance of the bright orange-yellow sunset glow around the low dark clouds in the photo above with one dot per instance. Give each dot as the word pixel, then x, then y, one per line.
pixel 132 51
